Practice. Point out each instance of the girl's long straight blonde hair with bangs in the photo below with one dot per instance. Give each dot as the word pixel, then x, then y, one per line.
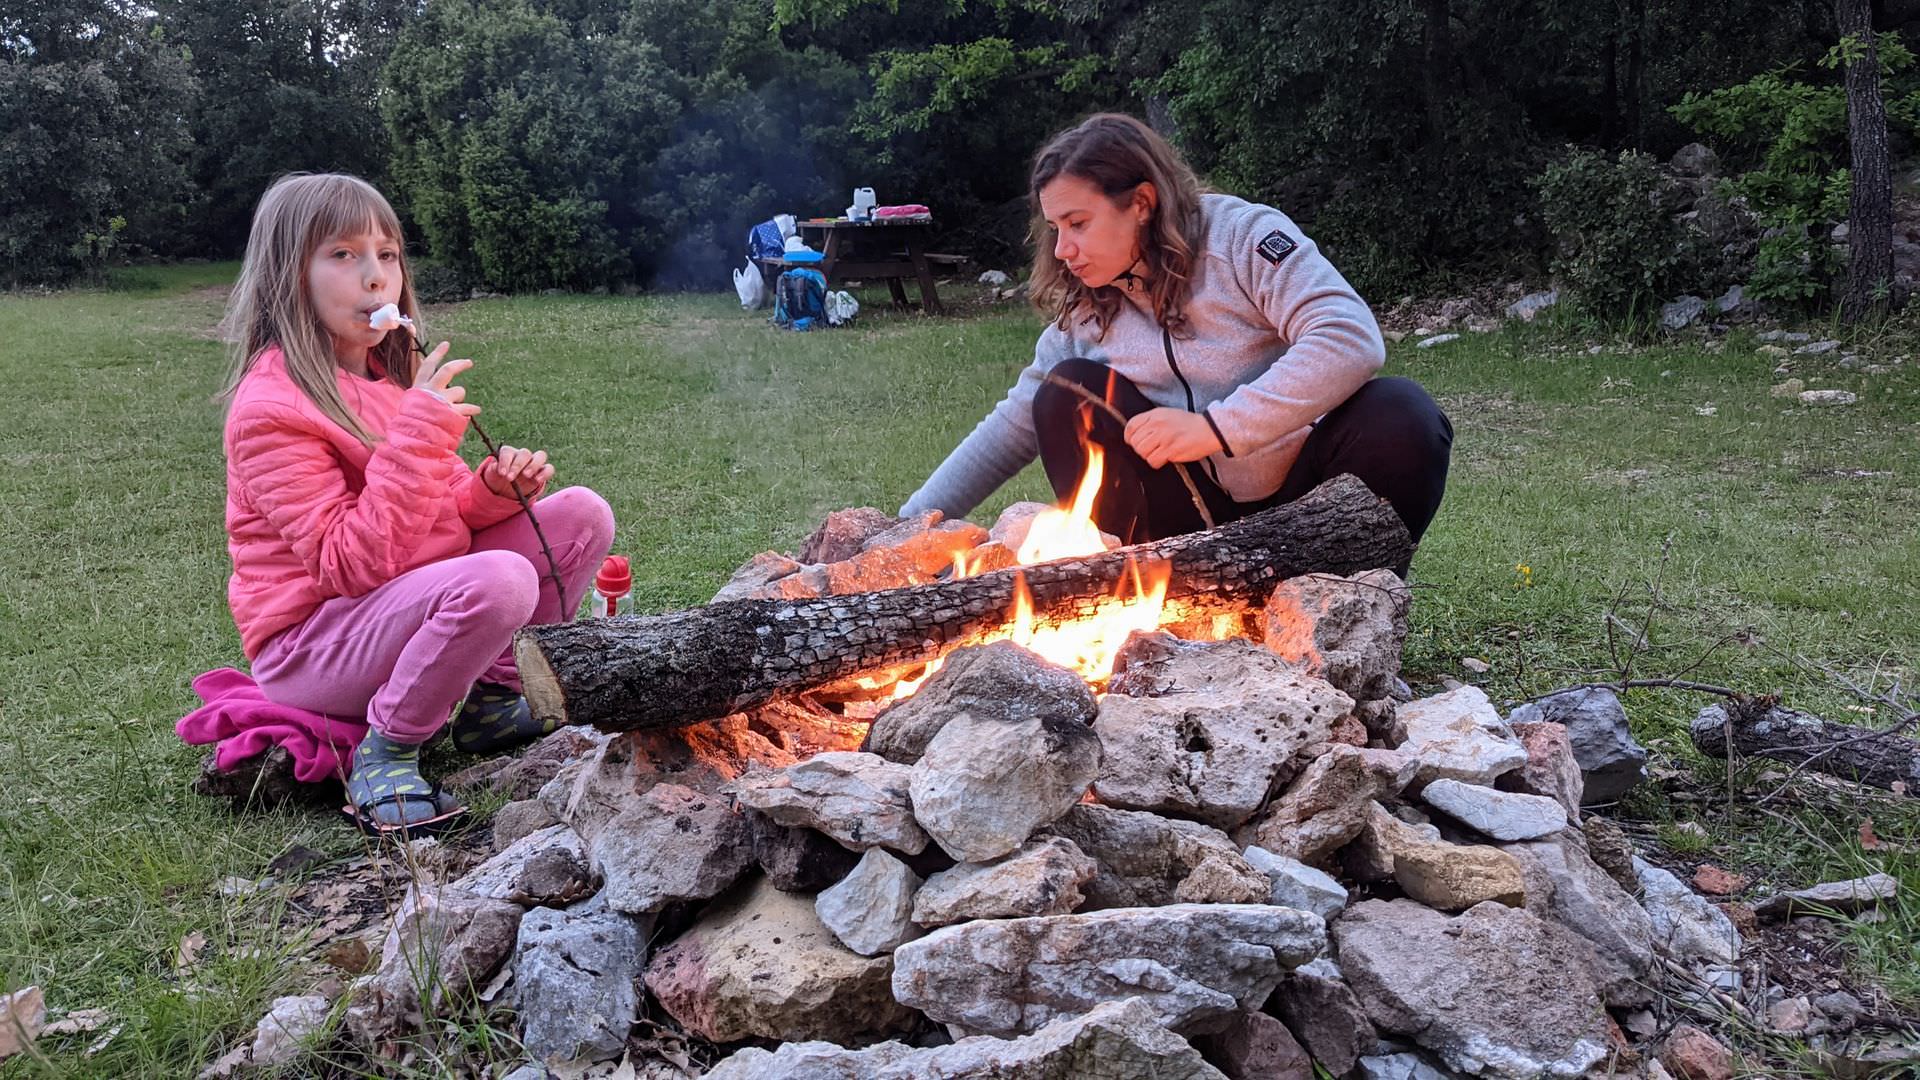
pixel 270 305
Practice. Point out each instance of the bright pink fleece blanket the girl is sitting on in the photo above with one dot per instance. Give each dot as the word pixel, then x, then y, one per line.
pixel 243 722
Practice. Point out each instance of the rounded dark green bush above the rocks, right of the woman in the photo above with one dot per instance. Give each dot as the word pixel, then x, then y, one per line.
pixel 1618 249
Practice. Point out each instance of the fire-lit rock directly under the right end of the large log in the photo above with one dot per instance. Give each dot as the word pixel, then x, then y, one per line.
pixel 1349 631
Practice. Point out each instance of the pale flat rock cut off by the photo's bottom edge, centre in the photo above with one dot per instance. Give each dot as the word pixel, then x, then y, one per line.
pixel 1118 1041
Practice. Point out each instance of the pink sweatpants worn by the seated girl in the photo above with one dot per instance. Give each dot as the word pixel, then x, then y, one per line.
pixel 406 652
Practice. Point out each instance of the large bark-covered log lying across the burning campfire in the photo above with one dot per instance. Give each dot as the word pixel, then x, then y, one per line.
pixel 656 672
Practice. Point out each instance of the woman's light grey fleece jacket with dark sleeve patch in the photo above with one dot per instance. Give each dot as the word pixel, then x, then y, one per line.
pixel 1276 341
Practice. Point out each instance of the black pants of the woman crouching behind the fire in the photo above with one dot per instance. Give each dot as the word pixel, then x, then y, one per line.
pixel 1389 433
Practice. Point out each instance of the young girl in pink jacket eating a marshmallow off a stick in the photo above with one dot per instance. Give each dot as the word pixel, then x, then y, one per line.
pixel 375 574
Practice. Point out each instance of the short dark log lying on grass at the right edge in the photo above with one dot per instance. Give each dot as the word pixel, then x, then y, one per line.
pixel 1760 727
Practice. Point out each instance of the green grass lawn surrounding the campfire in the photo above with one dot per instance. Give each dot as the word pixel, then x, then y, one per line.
pixel 717 437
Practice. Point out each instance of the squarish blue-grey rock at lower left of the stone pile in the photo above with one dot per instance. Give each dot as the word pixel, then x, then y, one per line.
pixel 575 983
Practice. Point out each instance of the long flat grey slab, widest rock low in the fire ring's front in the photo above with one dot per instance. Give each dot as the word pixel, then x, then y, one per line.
pixel 1189 964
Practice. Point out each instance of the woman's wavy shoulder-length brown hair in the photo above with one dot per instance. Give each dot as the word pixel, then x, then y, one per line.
pixel 1116 153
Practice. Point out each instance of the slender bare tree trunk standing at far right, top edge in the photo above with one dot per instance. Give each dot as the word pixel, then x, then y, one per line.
pixel 1871 207
